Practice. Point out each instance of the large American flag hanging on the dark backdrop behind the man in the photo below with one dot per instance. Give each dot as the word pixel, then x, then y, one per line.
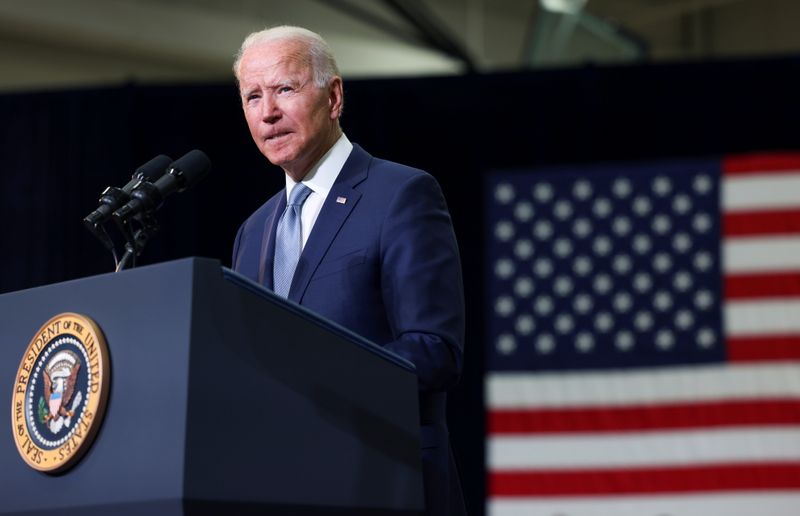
pixel 644 339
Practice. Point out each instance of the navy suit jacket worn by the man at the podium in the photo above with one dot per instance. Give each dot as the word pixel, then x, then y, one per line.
pixel 384 263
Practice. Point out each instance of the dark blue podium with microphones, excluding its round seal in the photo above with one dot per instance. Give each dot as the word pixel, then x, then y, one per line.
pixel 224 399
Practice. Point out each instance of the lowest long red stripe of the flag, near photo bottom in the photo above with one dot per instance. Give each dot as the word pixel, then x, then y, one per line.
pixel 685 479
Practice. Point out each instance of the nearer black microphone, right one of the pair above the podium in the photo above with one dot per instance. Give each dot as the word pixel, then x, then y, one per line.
pixel 181 175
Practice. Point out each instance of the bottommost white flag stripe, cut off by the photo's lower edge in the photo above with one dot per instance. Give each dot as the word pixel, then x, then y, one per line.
pixel 734 504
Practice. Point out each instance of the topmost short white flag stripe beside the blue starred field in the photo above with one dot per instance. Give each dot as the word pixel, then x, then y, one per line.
pixel 767 191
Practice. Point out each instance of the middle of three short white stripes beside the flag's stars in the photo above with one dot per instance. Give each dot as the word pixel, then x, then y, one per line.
pixel 760 254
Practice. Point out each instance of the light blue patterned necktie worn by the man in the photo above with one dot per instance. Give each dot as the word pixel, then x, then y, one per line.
pixel 289 241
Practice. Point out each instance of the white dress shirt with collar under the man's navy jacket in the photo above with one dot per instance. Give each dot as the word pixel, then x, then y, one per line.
pixel 320 180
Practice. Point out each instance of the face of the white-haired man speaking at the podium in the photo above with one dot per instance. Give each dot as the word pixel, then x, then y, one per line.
pixel 292 120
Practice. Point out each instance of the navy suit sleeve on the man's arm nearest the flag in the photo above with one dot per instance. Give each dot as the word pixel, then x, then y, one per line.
pixel 421 283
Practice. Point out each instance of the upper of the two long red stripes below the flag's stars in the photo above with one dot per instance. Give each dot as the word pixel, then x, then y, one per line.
pixel 646 417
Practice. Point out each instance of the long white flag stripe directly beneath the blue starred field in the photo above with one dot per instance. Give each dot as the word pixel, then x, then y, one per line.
pixel 679 384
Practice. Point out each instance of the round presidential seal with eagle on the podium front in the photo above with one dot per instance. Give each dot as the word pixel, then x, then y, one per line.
pixel 60 392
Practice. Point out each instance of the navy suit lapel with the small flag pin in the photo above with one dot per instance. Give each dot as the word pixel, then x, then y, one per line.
pixel 330 220
